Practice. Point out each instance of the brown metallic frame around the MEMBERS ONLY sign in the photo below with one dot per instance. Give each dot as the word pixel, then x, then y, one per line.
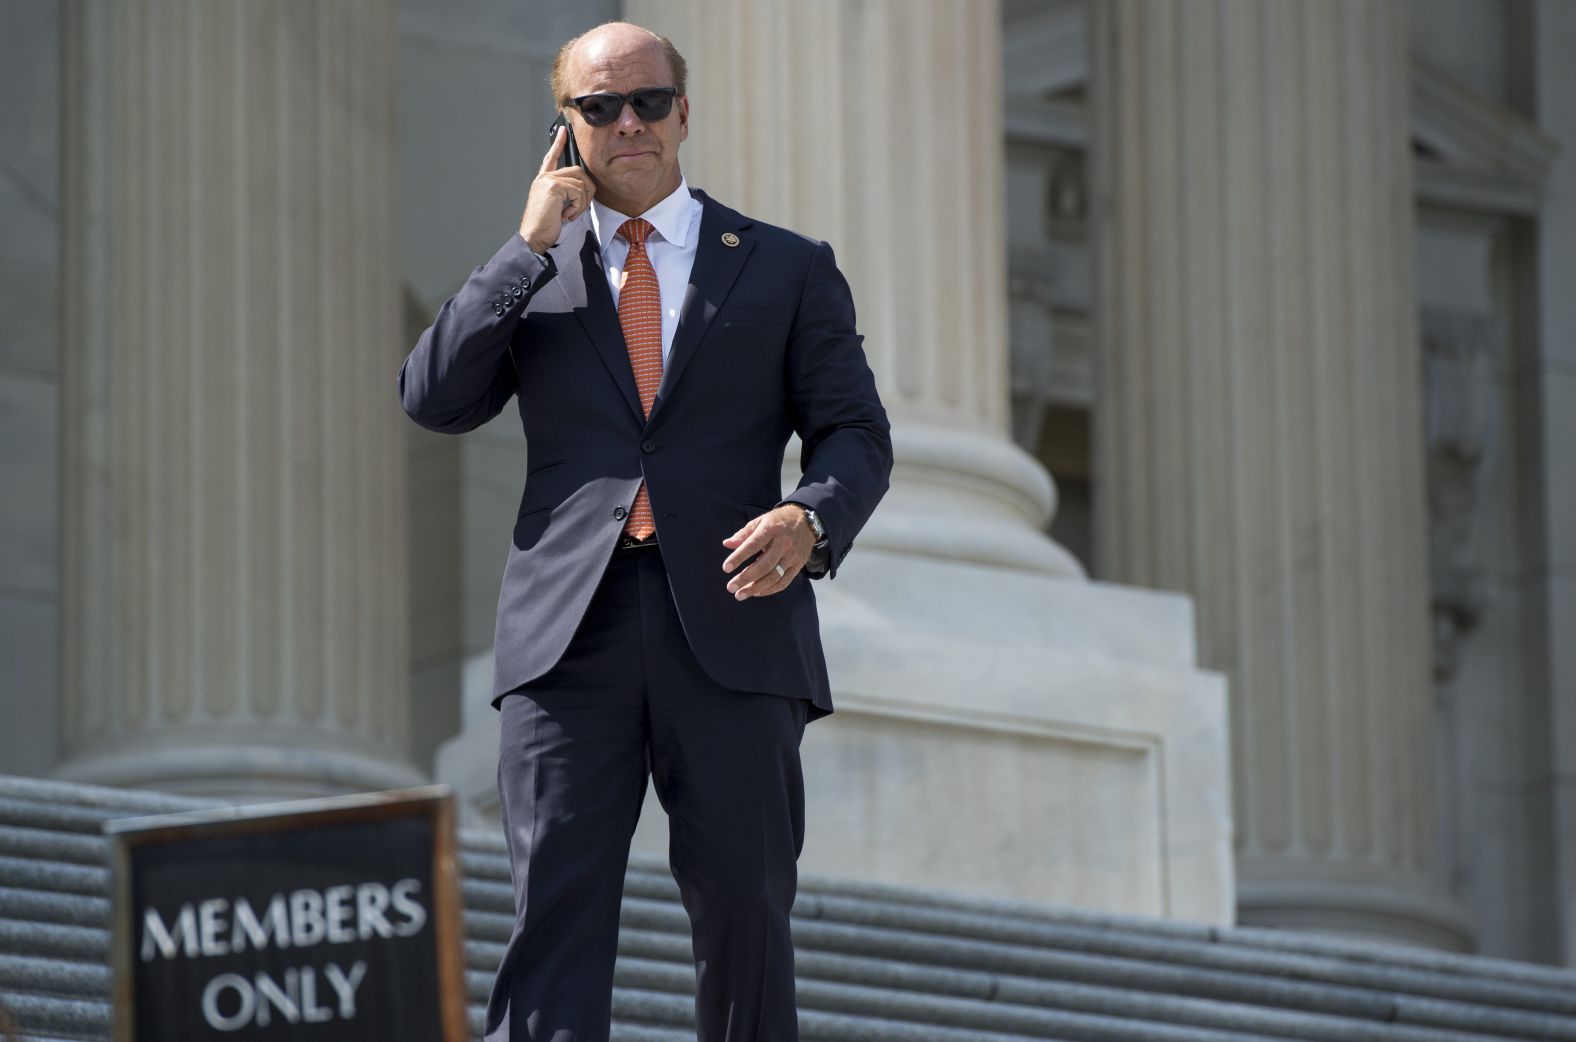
pixel 431 803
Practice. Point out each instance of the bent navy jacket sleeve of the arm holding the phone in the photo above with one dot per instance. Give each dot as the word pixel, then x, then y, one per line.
pixel 459 376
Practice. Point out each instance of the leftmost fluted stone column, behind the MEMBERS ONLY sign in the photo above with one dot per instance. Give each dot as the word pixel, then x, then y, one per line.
pixel 234 548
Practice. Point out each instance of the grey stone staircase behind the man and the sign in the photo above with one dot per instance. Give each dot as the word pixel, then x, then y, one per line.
pixel 875 964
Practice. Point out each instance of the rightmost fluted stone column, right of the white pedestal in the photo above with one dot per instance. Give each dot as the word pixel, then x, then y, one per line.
pixel 1260 442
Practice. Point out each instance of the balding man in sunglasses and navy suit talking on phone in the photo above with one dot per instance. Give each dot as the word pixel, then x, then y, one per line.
pixel 656 617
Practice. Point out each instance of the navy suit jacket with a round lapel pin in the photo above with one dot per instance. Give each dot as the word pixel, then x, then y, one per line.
pixel 765 348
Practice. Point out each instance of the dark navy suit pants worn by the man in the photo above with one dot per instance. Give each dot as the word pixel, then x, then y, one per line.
pixel 630 702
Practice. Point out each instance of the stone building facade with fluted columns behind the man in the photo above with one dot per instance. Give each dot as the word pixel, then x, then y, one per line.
pixel 1228 571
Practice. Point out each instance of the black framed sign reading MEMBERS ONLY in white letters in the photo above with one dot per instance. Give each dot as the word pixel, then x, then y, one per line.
pixel 329 920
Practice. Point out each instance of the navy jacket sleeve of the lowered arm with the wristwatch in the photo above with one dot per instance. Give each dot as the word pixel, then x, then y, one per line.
pixel 838 414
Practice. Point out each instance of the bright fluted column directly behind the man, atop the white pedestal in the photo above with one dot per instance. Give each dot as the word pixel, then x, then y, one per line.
pixel 879 128
